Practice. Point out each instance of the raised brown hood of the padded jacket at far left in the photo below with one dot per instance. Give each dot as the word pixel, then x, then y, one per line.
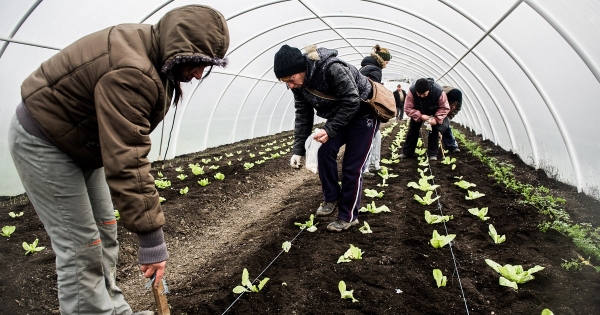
pixel 204 37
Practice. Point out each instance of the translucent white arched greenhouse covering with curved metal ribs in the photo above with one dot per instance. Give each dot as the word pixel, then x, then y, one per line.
pixel 529 70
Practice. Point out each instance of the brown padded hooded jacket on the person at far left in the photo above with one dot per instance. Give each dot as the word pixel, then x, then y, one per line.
pixel 99 98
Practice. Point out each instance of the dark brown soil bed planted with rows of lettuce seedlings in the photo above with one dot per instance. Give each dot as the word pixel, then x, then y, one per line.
pixel 214 232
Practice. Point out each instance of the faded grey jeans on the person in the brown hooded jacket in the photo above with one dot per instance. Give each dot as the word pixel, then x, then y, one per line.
pixel 75 206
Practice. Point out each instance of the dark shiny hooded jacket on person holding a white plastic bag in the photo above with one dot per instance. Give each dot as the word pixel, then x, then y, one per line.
pixel 332 76
